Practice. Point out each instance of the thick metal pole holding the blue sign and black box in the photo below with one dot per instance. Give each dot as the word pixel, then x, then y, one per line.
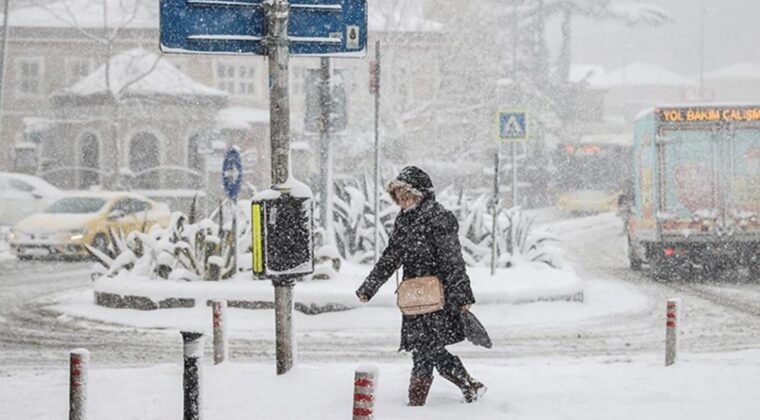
pixel 278 12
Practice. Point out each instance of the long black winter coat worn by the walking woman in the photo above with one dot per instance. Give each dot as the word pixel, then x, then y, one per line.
pixel 425 242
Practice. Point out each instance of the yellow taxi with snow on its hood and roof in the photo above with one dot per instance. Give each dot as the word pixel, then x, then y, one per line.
pixel 80 218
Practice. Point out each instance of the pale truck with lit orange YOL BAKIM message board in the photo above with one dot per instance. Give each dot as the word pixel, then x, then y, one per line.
pixel 695 190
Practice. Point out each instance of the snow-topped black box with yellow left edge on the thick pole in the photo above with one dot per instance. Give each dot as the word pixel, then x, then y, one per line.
pixel 283 239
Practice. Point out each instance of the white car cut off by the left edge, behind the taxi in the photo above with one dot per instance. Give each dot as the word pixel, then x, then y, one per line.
pixel 22 195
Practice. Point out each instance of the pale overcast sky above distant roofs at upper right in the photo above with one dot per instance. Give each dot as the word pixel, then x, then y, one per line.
pixel 731 34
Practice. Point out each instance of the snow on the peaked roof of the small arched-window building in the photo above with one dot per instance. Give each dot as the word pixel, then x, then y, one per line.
pixel 150 73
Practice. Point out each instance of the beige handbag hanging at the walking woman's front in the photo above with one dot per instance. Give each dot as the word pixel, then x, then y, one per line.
pixel 420 295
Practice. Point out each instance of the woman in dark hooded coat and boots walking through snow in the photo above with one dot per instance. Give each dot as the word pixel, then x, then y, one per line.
pixel 425 242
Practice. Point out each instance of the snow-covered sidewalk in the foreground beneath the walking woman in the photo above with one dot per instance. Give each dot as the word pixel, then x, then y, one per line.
pixel 698 387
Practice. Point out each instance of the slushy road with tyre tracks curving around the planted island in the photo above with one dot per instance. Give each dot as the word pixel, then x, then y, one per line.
pixel 717 316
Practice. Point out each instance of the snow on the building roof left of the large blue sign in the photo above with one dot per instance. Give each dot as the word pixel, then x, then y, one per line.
pixel 87 14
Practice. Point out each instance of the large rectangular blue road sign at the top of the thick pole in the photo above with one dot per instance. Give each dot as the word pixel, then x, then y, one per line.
pixel 335 28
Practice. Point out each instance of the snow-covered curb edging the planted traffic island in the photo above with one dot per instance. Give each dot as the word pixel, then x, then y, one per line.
pixel 521 284
